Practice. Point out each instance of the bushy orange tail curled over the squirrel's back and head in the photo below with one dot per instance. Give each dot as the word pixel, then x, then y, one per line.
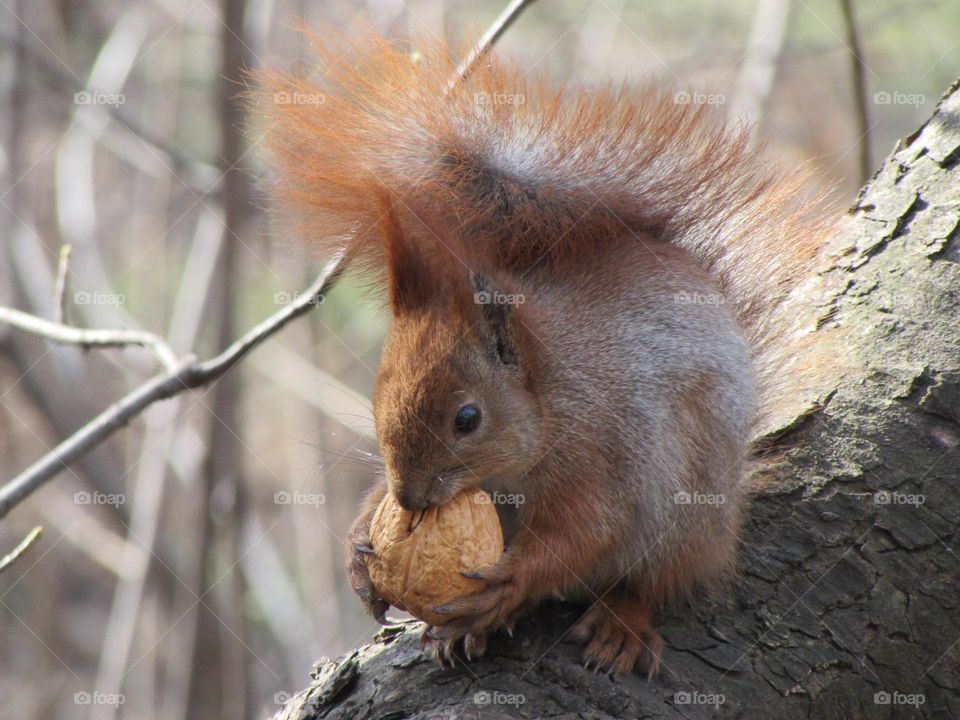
pixel 526 173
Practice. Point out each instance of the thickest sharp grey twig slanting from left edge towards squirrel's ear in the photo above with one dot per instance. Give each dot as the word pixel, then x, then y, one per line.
pixel 187 374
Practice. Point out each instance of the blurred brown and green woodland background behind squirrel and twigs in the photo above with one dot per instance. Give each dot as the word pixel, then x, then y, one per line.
pixel 192 565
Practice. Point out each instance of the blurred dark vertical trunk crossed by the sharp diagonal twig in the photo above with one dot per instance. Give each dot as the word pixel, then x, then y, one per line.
pixel 216 655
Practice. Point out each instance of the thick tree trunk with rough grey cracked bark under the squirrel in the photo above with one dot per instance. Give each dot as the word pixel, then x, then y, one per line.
pixel 850 576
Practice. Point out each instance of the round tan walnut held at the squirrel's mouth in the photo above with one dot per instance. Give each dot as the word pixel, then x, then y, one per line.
pixel 420 556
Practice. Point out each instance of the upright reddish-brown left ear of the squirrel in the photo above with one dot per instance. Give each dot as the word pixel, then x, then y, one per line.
pixel 408 271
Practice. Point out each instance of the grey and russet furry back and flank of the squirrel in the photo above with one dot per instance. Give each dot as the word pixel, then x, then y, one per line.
pixel 652 413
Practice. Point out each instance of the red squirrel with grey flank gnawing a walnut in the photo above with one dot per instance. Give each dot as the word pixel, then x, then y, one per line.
pixel 587 289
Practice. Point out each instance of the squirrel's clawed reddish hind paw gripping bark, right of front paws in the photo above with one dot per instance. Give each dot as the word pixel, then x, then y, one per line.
pixel 619 638
